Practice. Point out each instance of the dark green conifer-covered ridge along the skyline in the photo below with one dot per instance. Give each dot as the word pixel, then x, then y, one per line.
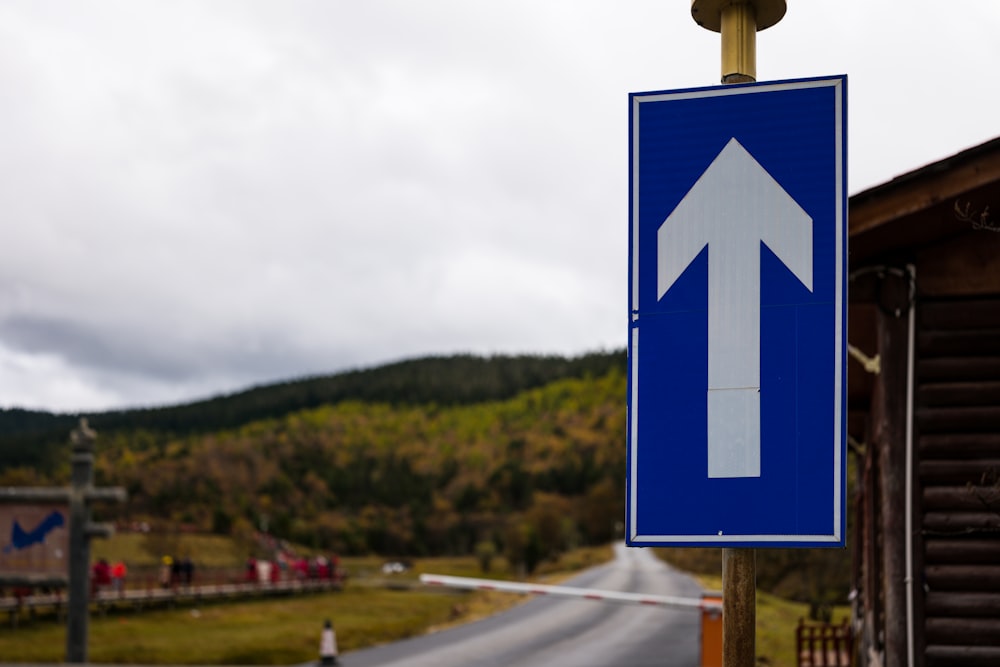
pixel 32 438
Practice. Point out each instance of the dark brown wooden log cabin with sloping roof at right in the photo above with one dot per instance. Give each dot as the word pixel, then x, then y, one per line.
pixel 924 413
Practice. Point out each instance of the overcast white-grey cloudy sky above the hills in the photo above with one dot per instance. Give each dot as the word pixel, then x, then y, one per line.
pixel 196 197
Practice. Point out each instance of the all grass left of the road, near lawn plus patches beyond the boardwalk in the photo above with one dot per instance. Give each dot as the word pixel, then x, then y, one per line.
pixel 288 631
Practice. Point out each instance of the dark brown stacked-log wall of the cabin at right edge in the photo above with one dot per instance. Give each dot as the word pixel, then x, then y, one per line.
pixel 957 489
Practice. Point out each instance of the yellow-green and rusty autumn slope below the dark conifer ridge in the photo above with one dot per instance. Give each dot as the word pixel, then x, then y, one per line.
pixel 541 471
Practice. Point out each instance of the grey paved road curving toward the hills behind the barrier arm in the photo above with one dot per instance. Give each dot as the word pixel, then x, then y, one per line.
pixel 558 631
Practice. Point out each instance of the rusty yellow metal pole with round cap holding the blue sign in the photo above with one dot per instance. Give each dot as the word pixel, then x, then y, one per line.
pixel 737 21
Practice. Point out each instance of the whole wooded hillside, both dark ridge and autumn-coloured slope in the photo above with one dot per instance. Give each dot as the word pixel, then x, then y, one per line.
pixel 522 457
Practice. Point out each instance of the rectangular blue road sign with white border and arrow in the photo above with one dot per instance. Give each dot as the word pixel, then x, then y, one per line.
pixel 737 305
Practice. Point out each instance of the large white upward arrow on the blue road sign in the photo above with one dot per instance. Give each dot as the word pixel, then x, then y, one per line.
pixel 733 206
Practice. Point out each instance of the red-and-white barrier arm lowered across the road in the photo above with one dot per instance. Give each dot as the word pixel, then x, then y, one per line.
pixel 710 605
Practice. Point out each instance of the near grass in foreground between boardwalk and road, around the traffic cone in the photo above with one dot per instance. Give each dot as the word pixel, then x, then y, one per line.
pixel 256 632
